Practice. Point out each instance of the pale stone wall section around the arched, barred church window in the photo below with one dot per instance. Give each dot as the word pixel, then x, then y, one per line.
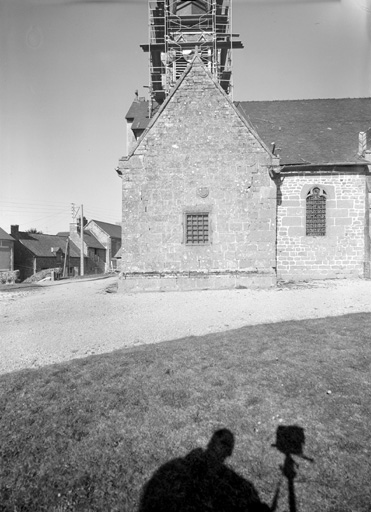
pixel 343 251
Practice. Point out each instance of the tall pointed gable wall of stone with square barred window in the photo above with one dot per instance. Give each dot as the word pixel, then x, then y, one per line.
pixel 198 144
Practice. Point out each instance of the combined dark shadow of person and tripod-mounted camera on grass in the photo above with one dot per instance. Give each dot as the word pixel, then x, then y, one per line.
pixel 201 482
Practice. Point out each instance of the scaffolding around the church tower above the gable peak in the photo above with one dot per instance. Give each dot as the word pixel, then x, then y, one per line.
pixel 179 28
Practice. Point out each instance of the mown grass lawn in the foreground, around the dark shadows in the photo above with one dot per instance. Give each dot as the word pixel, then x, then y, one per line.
pixel 86 435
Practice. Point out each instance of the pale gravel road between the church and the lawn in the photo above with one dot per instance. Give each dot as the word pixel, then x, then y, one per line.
pixel 63 320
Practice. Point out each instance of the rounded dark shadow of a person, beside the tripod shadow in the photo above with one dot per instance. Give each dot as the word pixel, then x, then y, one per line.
pixel 201 482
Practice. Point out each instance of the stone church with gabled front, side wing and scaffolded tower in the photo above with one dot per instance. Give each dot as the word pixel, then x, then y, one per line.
pixel 223 194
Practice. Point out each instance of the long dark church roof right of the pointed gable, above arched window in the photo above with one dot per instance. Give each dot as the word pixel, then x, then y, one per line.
pixel 311 131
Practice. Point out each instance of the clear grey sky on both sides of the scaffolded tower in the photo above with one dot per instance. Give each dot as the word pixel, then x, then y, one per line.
pixel 69 70
